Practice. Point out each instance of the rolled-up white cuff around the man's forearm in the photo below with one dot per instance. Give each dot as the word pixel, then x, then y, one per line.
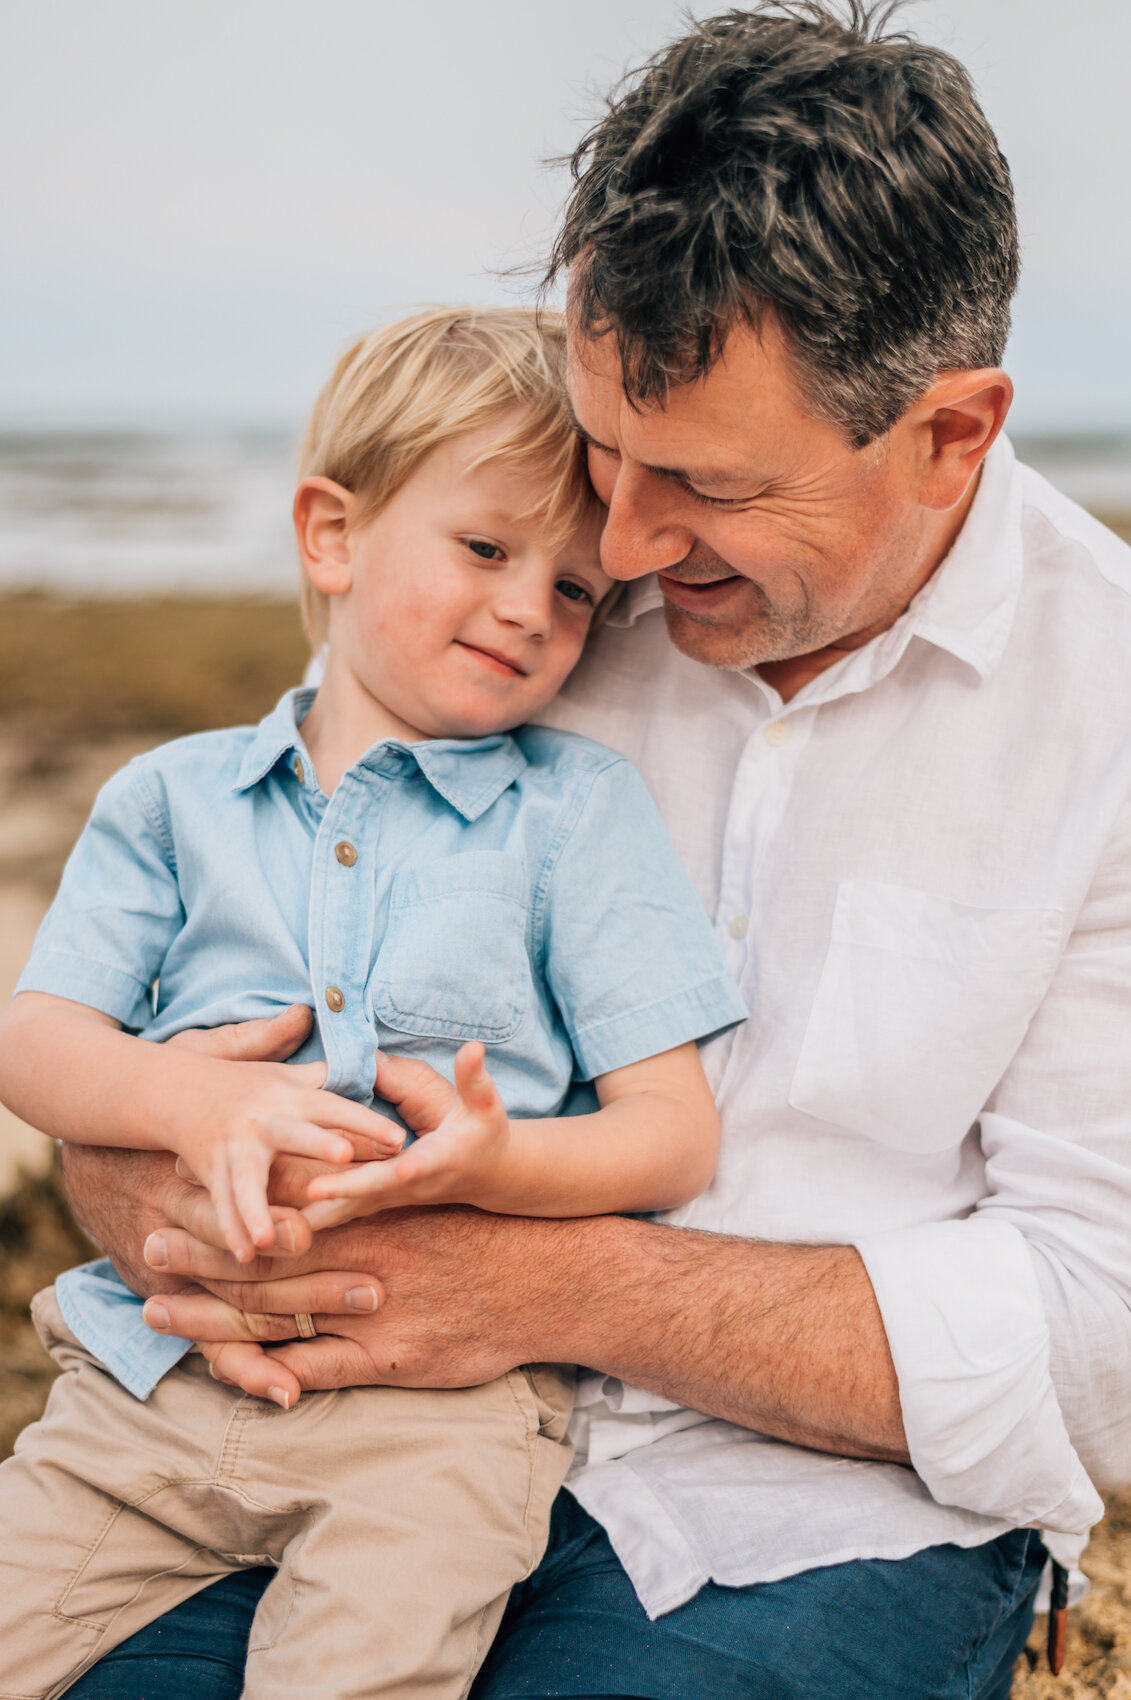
pixel 970 1344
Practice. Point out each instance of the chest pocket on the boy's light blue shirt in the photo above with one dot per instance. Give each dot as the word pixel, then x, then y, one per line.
pixel 455 960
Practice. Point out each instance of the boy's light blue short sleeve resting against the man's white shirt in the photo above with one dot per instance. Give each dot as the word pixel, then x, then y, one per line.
pixel 630 955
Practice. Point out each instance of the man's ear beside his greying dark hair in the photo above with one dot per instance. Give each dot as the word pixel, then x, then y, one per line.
pixel 955 424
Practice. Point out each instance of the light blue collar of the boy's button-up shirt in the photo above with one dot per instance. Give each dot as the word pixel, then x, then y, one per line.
pixel 467 773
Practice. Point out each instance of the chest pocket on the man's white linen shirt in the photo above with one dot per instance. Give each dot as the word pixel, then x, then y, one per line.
pixel 919 1011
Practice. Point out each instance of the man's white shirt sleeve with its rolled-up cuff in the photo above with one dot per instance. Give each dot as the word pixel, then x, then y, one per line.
pixel 1011 1332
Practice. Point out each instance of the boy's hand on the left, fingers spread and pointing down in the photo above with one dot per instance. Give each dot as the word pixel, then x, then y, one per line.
pixel 246 1116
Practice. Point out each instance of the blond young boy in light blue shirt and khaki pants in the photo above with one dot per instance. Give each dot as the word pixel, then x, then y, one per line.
pixel 438 878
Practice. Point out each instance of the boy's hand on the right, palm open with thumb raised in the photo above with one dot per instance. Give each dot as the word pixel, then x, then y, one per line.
pixel 455 1164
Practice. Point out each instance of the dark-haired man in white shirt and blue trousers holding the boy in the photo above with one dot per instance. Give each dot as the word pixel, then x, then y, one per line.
pixel 880 688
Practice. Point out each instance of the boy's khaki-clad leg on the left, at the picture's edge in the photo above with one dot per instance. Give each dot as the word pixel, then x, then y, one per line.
pixel 91 1543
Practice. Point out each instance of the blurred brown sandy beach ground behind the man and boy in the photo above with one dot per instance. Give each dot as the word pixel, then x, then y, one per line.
pixel 84 686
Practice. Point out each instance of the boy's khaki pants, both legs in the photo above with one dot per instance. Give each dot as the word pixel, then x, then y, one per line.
pixel 399 1522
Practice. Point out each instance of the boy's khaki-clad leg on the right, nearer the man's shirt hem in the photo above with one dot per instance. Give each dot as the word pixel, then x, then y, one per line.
pixel 426 1509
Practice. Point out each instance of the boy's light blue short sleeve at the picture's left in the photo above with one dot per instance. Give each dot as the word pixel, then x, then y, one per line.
pixel 118 909
